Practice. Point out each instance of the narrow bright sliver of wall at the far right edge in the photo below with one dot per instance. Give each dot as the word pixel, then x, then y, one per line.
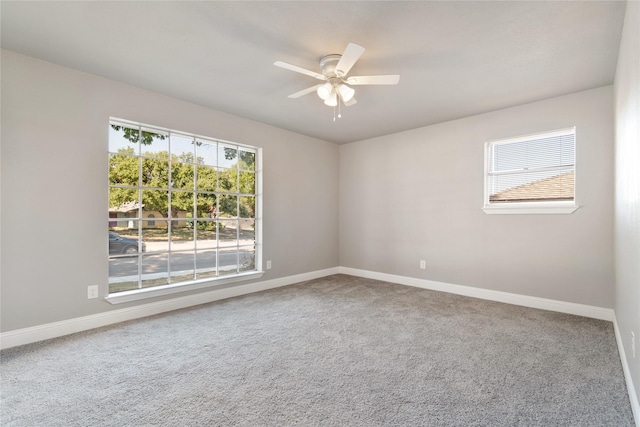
pixel 627 189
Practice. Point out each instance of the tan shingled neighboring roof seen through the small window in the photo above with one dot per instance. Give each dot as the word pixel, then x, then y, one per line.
pixel 556 188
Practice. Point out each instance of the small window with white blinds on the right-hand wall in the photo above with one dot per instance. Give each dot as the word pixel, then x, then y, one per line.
pixel 531 174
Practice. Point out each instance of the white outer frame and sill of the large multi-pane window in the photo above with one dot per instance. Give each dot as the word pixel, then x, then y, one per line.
pixel 155 291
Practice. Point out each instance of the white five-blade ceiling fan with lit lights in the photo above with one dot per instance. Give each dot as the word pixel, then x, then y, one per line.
pixel 337 86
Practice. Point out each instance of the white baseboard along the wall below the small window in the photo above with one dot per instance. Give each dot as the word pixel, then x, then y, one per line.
pixel 506 297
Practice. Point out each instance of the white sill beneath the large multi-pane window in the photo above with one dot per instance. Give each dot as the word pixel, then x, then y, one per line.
pixel 156 291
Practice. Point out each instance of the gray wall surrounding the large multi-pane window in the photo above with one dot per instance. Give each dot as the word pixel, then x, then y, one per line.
pixel 54 194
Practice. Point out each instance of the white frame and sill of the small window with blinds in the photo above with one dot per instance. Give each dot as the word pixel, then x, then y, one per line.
pixel 519 208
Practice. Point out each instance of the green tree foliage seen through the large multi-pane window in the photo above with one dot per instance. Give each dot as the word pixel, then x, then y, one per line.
pixel 124 170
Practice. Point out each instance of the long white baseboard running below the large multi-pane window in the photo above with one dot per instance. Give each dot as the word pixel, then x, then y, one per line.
pixel 79 324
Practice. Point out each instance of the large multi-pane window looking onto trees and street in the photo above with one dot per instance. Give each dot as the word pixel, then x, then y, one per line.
pixel 182 208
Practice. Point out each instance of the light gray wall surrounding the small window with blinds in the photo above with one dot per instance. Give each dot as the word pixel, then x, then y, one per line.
pixel 418 195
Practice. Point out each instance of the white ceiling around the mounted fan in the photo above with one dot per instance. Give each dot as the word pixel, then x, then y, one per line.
pixel 455 59
